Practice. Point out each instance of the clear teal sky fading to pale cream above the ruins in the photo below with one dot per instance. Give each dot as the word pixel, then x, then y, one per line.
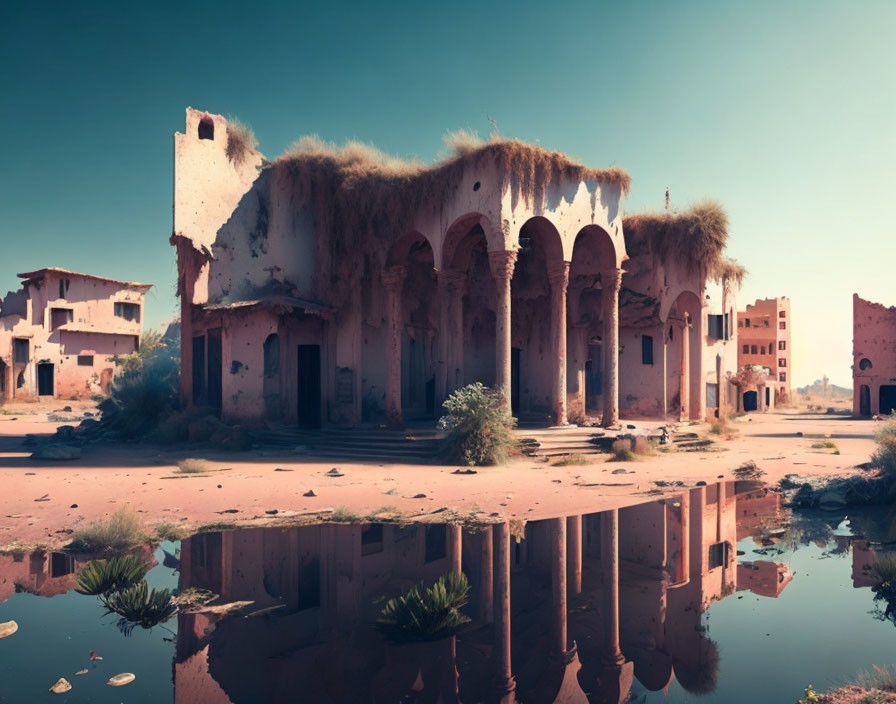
pixel 783 111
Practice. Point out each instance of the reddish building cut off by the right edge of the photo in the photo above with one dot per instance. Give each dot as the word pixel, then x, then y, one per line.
pixel 873 358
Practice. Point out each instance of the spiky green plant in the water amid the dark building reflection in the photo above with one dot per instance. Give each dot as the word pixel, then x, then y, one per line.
pixel 426 614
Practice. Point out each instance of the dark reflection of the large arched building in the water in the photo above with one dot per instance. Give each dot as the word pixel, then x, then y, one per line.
pixel 559 607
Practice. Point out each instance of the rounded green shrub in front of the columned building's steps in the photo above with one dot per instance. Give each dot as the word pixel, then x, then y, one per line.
pixel 478 426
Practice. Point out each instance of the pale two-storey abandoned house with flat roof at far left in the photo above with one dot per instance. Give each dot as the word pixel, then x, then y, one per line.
pixel 60 332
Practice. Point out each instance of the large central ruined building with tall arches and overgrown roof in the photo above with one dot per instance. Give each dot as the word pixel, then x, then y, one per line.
pixel 339 286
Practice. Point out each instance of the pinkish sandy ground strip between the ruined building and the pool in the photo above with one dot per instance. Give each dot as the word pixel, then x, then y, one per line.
pixel 42 501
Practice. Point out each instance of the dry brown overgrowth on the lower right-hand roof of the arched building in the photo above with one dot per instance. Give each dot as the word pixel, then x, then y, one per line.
pixel 697 237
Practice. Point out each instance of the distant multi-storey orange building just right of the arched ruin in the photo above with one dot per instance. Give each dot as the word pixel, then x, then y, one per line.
pixel 764 332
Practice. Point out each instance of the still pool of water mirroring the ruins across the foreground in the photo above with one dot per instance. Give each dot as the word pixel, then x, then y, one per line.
pixel 716 594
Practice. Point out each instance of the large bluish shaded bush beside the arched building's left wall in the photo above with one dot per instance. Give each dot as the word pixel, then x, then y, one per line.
pixel 146 388
